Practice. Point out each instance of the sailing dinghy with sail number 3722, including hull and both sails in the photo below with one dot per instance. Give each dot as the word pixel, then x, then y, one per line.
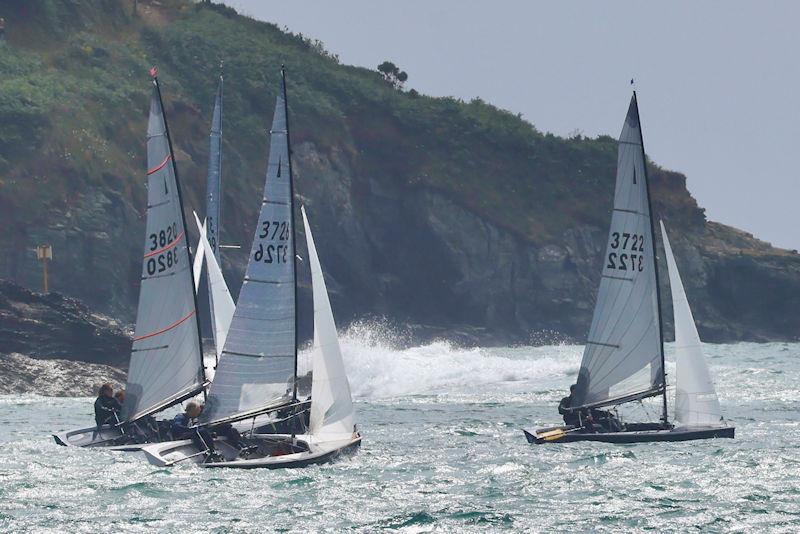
pixel 623 361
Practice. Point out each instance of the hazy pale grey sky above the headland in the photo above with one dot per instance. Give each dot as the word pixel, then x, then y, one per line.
pixel 718 81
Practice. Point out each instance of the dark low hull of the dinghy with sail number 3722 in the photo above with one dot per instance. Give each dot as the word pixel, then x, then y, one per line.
pixel 635 436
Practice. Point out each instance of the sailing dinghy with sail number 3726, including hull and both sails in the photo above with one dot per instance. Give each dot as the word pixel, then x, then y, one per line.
pixel 257 374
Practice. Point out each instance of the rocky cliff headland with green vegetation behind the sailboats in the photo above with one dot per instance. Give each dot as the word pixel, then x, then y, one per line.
pixel 455 217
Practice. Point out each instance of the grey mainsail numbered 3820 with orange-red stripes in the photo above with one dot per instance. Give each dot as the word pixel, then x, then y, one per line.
pixel 166 361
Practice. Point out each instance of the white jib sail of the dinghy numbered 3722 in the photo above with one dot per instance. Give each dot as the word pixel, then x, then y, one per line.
pixel 696 402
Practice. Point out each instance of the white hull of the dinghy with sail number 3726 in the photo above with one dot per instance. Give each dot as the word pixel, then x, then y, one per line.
pixel 271 452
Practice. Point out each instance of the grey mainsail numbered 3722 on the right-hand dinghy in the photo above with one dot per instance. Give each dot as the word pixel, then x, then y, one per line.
pixel 623 355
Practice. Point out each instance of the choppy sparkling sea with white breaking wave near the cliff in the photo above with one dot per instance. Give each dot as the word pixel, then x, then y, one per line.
pixel 443 451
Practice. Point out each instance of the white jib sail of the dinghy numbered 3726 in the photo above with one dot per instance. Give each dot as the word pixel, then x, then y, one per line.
pixel 331 402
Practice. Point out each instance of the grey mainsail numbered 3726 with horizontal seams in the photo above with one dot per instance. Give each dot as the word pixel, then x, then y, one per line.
pixel 257 366
